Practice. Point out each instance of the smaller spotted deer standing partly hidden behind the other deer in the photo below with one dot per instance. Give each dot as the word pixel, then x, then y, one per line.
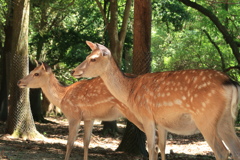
pixel 85 100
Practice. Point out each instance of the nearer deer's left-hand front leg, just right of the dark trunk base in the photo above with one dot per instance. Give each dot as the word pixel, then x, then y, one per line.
pixel 150 131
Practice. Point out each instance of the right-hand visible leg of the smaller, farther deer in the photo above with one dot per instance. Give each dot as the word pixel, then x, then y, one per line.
pixel 88 125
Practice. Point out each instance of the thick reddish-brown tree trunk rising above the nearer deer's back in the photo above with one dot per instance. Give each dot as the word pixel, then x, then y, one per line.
pixel 142 37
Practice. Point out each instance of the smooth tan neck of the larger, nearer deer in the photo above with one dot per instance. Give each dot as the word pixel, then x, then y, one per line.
pixel 116 82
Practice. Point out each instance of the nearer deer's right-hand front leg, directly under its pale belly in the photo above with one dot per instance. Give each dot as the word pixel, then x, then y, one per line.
pixel 162 137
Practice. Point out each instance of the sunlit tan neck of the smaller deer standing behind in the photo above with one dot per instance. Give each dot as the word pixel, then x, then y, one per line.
pixel 54 91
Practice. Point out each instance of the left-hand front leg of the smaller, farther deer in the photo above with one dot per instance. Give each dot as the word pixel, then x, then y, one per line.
pixel 73 130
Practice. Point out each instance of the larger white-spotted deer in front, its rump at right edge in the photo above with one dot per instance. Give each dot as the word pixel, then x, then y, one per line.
pixel 182 102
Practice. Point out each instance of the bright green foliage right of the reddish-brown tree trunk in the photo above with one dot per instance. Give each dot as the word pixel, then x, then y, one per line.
pixel 182 44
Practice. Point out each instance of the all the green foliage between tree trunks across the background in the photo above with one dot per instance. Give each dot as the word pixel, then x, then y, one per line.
pixel 59 29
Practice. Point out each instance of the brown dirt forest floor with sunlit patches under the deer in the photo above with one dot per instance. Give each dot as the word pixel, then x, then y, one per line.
pixel 101 147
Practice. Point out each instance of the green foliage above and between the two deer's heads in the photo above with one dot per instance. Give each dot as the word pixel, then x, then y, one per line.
pixel 58 33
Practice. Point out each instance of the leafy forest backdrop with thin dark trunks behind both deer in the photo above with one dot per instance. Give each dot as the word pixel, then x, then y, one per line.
pixel 184 35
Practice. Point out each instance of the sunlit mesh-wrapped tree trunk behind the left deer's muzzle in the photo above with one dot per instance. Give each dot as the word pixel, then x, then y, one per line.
pixel 20 121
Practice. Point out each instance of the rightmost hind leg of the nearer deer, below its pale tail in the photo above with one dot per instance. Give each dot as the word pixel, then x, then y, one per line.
pixel 227 133
